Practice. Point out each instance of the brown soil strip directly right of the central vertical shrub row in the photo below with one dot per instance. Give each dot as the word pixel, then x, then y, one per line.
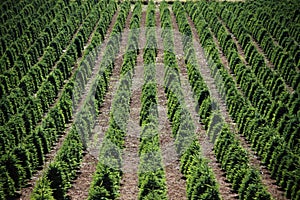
pixel 176 184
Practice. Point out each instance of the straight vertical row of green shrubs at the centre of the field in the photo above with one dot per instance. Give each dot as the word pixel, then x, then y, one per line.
pixel 151 176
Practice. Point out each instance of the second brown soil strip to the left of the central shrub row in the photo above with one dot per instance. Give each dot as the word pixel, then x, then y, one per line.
pixel 80 187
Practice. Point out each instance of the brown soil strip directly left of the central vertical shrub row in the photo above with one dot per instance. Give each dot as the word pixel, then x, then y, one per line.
pixel 129 183
